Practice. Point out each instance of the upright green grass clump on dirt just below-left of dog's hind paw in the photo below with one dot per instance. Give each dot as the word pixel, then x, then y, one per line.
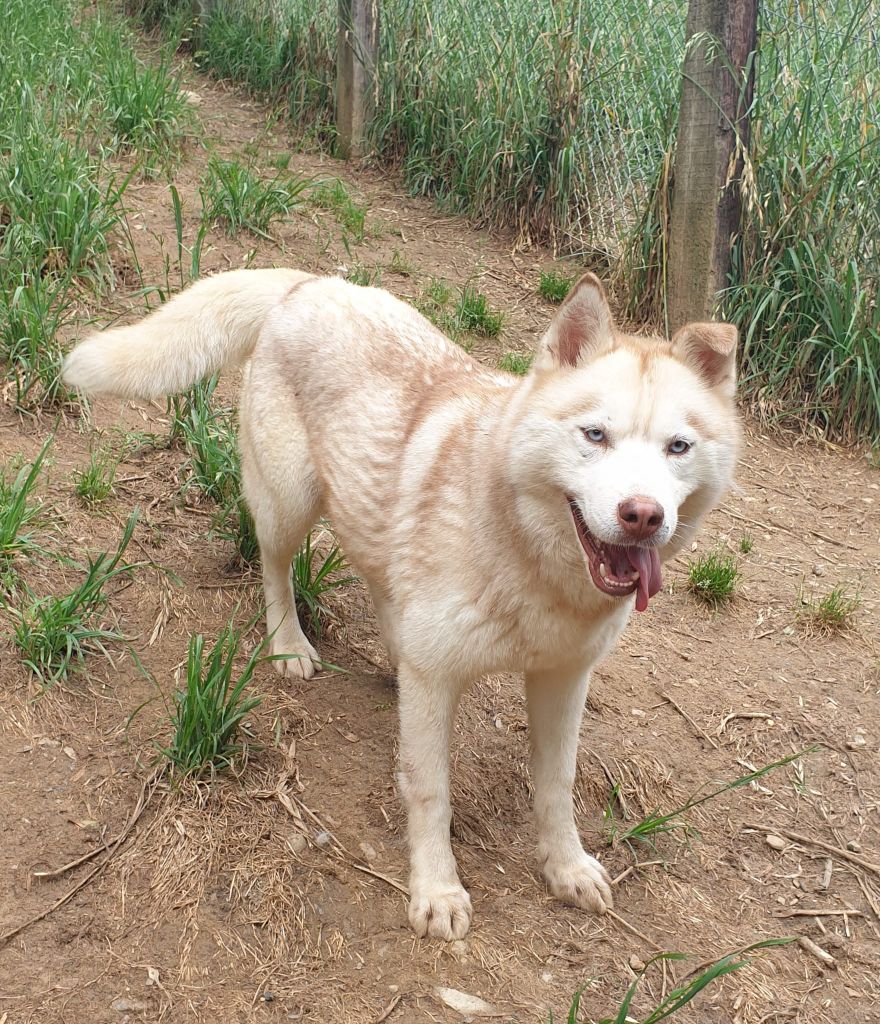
pixel 209 714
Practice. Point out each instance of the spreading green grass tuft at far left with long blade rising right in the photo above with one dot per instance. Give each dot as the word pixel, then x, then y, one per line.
pixel 55 634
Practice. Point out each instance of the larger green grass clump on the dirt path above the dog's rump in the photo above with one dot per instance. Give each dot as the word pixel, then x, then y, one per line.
pixel 237 197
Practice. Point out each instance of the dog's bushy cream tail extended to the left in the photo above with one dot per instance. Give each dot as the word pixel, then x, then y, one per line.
pixel 216 323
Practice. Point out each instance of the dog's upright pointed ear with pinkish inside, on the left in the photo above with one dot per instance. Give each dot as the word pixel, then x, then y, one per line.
pixel 582 327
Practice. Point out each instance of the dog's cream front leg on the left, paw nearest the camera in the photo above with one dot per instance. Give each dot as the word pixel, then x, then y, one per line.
pixel 439 905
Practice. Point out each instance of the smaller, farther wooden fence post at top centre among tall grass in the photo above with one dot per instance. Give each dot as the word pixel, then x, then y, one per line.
pixel 356 70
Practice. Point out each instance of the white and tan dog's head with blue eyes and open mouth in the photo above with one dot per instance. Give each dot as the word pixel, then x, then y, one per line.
pixel 631 440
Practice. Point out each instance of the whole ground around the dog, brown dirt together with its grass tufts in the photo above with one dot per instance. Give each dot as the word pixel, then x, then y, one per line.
pixel 274 891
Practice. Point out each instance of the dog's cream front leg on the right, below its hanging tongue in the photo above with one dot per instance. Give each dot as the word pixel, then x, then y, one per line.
pixel 556 708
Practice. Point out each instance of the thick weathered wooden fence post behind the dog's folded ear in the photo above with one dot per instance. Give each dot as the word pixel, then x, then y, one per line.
pixel 706 196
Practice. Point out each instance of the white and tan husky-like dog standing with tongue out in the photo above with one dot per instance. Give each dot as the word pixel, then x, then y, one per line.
pixel 501 524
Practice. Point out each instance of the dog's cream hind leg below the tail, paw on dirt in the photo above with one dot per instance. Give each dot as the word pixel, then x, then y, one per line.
pixel 282 490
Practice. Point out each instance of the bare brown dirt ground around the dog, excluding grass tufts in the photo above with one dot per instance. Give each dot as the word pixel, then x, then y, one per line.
pixel 276 897
